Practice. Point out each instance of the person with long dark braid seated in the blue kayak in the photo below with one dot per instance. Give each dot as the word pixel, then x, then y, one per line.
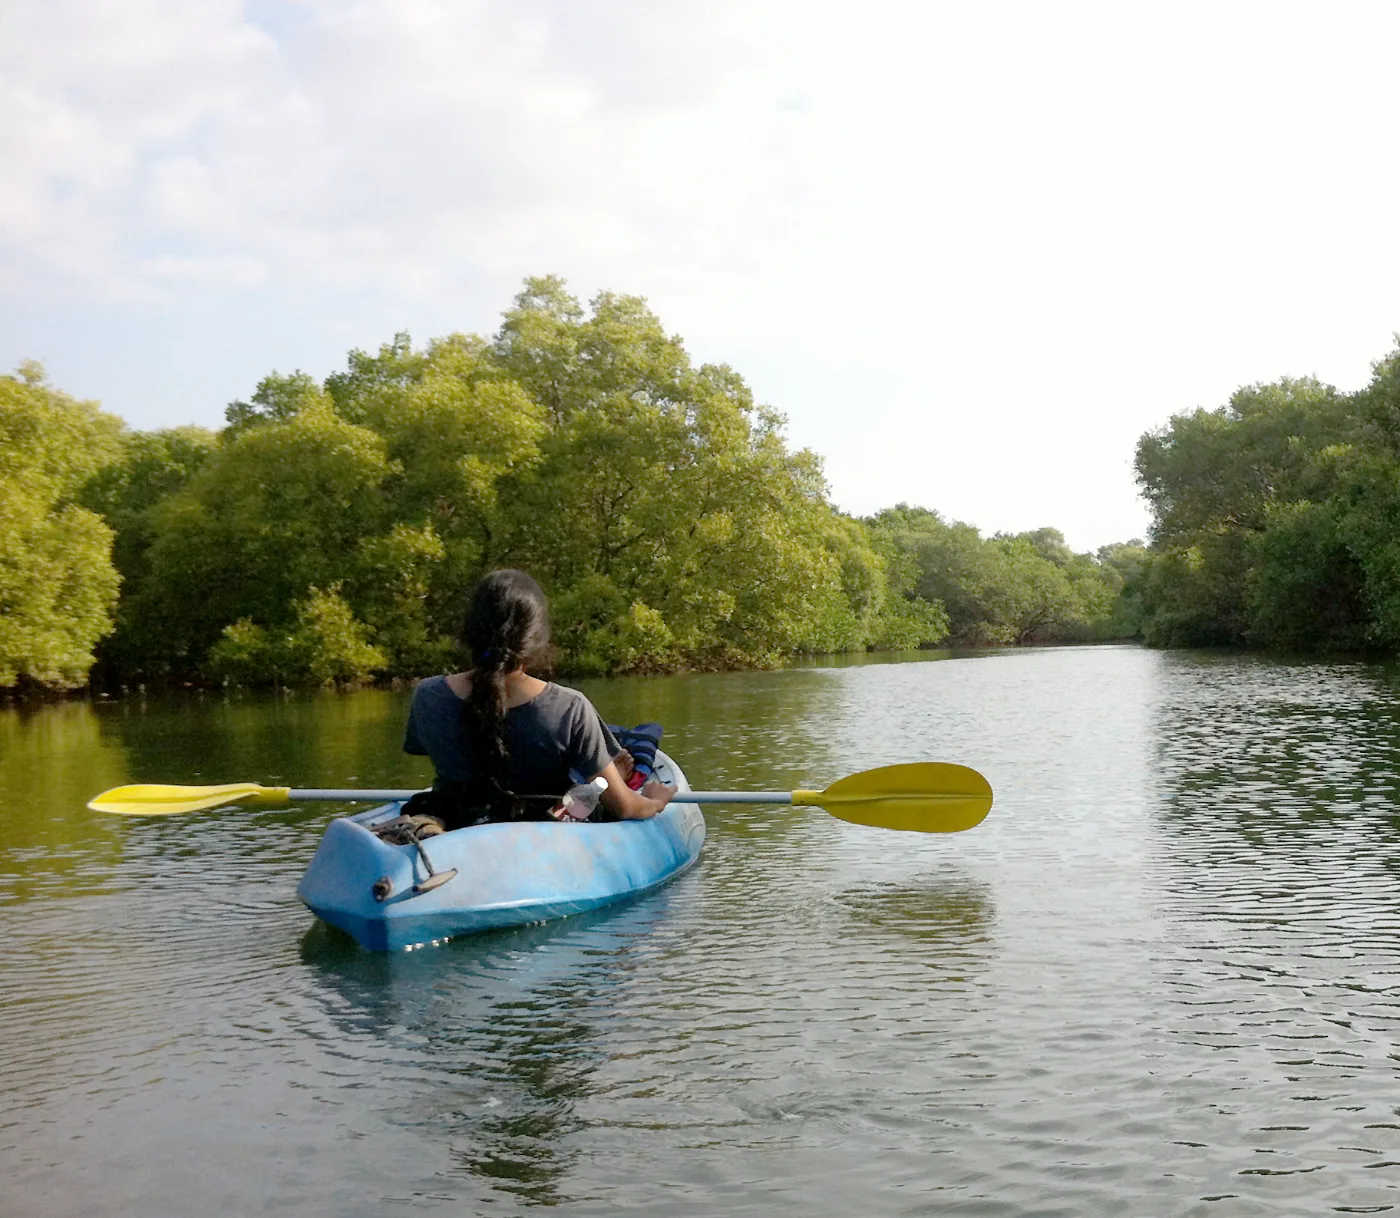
pixel 505 744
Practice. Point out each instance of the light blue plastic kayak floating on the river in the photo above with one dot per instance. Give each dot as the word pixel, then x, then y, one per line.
pixel 393 897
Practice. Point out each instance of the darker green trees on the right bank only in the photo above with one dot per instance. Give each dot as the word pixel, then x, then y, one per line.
pixel 1277 520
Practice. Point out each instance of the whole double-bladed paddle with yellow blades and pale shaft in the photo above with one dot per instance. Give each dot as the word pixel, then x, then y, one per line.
pixel 926 797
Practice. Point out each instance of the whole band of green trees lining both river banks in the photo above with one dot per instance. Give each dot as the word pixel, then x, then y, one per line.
pixel 330 531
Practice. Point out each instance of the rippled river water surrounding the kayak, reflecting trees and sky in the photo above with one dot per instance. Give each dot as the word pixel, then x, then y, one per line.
pixel 1163 978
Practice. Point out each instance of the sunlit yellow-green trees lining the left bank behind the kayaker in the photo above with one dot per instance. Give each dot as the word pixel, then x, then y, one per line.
pixel 331 533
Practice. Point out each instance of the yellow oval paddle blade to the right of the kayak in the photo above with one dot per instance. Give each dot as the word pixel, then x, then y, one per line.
pixel 925 797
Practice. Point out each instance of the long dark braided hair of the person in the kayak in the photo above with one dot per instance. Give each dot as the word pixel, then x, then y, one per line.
pixel 507 628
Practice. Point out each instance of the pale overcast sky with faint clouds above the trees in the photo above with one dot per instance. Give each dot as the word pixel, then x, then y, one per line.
pixel 972 251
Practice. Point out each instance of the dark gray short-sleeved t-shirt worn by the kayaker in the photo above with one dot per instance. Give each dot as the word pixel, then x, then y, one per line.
pixel 555 740
